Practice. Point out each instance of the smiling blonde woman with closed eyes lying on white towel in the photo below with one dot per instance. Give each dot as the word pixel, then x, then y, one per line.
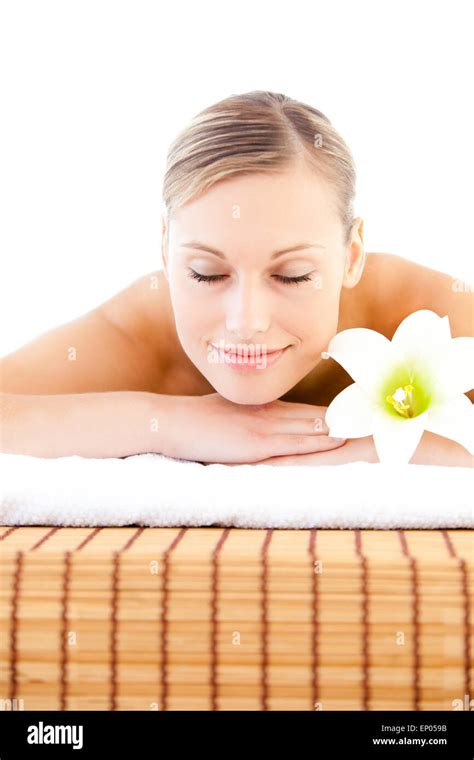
pixel 217 358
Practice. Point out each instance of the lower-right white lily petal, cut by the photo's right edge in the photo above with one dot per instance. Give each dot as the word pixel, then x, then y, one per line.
pixel 454 420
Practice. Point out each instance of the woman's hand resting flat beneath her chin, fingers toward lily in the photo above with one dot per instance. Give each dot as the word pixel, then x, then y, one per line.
pixel 212 429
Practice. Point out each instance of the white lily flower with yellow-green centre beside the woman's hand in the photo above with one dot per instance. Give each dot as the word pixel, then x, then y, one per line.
pixel 413 383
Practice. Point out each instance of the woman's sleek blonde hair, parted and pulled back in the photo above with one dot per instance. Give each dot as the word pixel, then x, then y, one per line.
pixel 258 131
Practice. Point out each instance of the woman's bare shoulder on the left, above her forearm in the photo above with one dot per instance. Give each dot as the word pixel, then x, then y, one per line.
pixel 122 344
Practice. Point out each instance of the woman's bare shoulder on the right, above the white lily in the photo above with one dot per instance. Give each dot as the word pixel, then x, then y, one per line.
pixel 397 286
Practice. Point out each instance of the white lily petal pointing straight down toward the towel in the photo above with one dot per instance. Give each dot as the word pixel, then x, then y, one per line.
pixel 396 438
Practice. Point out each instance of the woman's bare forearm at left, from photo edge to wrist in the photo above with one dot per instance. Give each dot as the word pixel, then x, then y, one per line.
pixel 111 424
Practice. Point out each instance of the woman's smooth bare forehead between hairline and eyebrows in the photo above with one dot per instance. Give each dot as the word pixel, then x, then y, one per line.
pixel 274 207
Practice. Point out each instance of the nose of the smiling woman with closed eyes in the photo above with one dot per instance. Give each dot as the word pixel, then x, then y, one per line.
pixel 247 313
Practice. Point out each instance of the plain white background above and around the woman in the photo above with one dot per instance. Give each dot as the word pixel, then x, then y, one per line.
pixel 92 93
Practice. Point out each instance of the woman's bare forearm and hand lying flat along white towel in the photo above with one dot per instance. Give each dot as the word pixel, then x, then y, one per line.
pixel 121 423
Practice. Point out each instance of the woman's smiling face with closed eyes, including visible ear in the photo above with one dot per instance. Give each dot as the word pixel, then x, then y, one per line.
pixel 263 298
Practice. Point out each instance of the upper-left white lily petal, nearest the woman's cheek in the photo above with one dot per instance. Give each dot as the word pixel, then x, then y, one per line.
pixel 363 353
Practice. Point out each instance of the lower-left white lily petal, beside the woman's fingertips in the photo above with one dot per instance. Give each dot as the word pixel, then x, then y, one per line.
pixel 350 413
